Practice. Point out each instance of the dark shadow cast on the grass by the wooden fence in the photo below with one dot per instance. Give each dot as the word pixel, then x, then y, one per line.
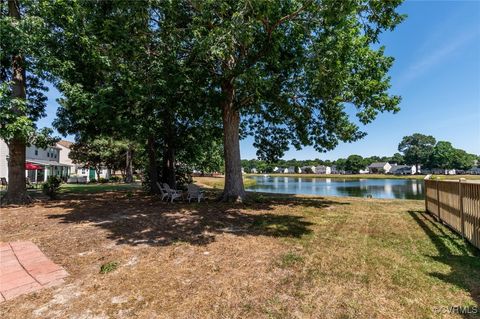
pixel 462 258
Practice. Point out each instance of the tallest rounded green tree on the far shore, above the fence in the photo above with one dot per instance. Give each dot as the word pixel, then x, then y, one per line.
pixel 417 149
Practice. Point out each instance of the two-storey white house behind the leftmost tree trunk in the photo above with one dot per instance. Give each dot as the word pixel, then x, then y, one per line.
pixel 46 159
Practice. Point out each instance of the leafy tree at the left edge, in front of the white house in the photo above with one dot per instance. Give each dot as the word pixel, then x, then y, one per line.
pixel 22 101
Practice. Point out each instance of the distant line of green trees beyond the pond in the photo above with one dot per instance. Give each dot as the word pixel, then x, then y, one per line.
pixel 417 149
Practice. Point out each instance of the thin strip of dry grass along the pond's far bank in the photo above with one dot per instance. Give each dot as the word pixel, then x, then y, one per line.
pixel 373 176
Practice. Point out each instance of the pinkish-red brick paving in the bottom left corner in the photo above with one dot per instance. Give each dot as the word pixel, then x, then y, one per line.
pixel 24 268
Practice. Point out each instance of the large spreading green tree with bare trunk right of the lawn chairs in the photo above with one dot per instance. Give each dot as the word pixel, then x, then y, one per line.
pixel 285 72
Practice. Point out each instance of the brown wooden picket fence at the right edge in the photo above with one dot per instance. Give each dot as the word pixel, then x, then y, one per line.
pixel 457 204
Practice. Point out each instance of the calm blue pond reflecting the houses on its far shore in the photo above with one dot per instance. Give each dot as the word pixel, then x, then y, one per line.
pixel 376 188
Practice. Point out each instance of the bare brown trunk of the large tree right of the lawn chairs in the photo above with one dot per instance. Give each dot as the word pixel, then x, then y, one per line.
pixel 233 190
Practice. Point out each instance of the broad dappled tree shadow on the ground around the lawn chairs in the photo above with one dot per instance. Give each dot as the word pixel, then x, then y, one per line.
pixel 147 220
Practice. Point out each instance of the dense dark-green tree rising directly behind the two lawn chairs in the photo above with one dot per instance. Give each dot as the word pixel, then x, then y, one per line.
pixel 133 58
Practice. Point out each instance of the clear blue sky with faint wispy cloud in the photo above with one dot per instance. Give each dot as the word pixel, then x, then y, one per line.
pixel 436 71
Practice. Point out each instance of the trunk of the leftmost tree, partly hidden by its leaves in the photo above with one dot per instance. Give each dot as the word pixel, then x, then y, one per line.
pixel 17 190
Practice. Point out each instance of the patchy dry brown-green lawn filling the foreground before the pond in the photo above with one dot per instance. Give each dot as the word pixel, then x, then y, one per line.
pixel 131 256
